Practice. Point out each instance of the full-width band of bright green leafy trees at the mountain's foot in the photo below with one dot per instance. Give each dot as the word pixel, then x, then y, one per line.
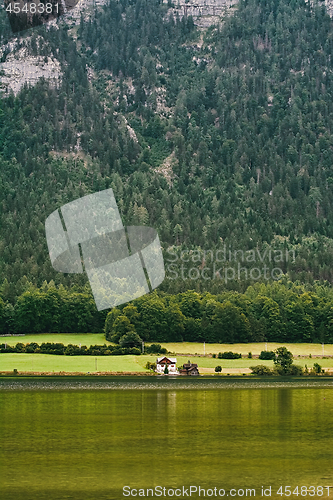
pixel 277 312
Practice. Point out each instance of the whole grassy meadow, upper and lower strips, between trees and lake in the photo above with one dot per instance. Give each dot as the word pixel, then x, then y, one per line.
pixel 183 351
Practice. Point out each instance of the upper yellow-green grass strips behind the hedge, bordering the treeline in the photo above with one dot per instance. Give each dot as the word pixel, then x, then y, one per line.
pixel 177 348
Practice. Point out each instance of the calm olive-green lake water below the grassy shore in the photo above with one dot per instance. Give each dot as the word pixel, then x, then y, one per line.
pixel 87 439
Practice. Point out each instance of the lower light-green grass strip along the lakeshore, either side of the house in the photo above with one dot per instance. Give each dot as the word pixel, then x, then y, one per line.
pixel 92 364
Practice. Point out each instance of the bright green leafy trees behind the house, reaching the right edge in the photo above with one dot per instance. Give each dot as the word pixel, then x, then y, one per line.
pixel 274 313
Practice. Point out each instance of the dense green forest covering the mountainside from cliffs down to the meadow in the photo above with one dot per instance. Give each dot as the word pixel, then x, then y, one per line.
pixel 218 138
